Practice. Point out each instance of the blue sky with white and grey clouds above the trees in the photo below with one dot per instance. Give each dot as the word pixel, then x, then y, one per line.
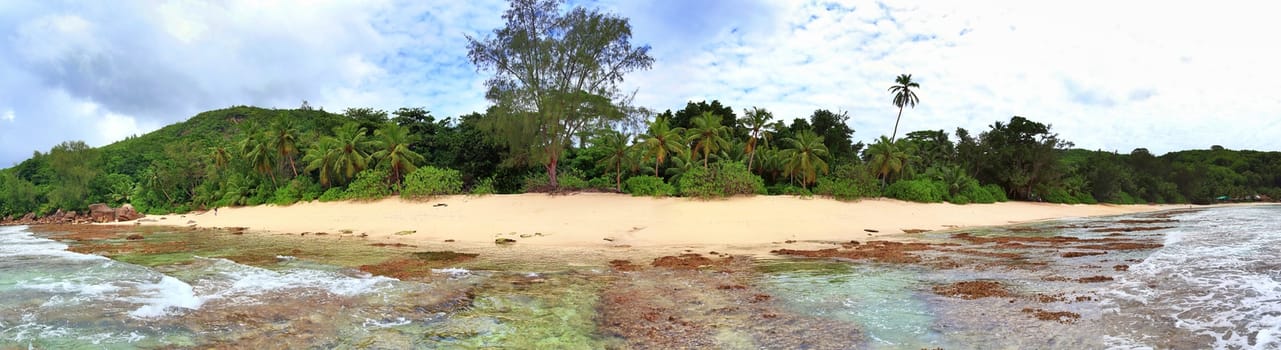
pixel 1107 75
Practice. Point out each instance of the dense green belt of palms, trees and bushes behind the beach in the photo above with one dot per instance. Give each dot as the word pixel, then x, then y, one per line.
pixel 578 133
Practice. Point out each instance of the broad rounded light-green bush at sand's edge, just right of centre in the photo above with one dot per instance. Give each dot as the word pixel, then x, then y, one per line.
pixel 727 179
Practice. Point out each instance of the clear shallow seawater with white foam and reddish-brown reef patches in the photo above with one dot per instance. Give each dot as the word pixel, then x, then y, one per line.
pixel 1214 284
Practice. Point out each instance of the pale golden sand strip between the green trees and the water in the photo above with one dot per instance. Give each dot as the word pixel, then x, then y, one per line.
pixel 614 221
